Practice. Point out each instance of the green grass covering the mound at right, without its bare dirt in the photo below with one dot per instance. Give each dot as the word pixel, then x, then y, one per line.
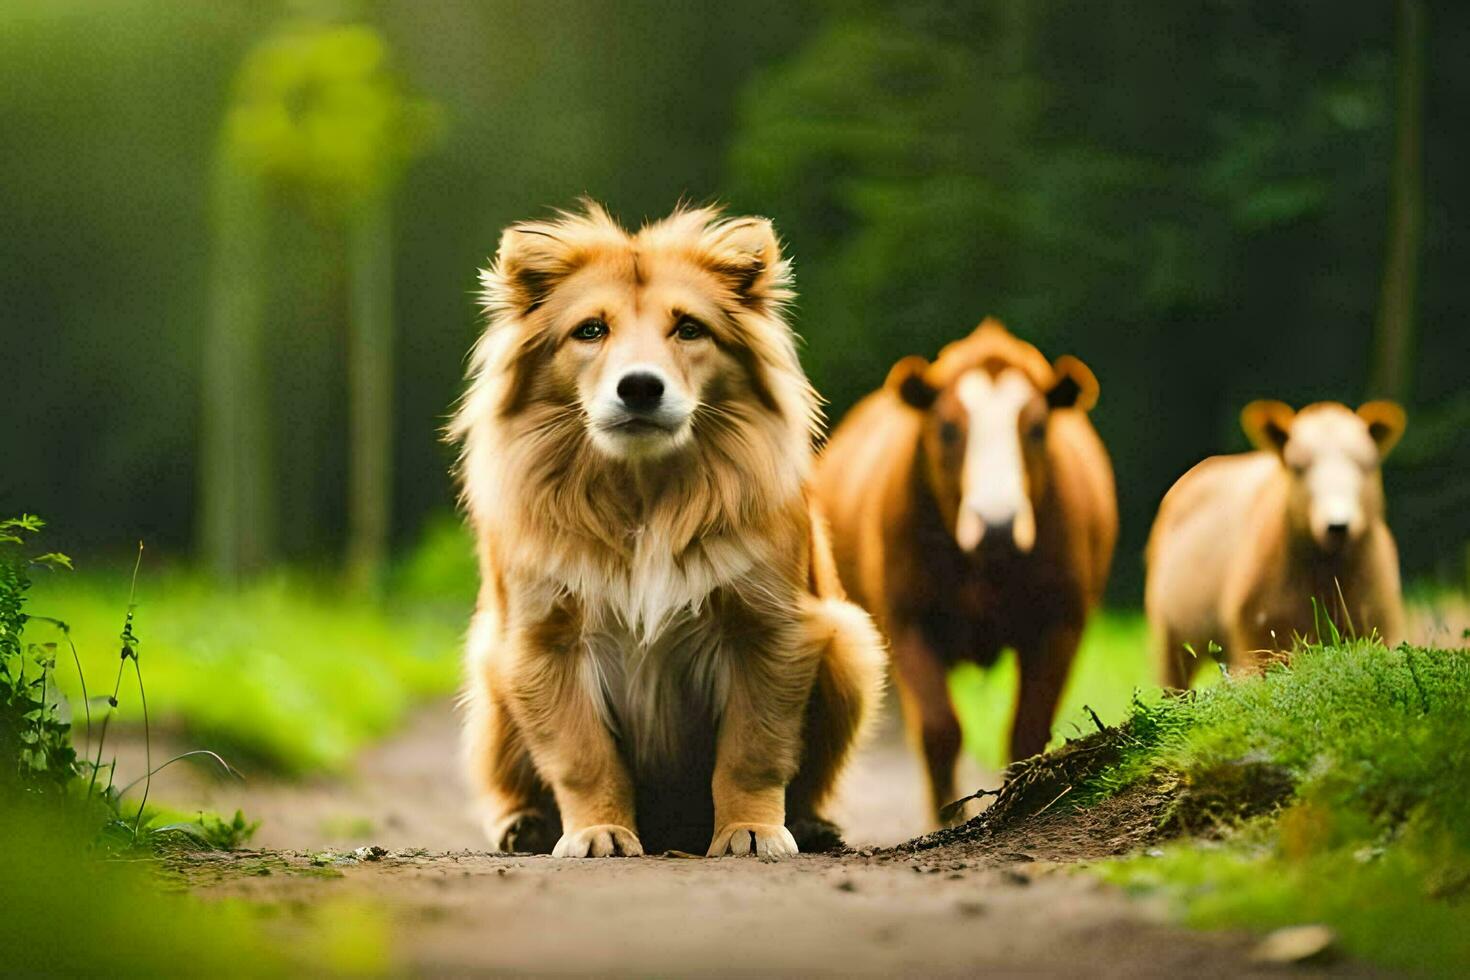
pixel 1375 841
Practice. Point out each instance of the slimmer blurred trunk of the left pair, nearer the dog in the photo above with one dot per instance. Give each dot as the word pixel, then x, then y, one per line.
pixel 370 352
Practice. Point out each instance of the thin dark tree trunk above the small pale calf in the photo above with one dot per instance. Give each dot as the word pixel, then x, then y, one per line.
pixel 1396 336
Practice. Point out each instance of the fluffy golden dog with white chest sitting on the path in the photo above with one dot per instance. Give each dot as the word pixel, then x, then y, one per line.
pixel 661 655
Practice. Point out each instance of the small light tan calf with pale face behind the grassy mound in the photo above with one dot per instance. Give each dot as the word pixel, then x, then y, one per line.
pixel 1243 544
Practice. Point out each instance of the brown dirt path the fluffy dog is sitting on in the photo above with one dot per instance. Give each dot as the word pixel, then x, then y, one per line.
pixel 452 910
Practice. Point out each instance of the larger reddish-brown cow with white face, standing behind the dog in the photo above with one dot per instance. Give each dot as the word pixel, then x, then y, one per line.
pixel 972 509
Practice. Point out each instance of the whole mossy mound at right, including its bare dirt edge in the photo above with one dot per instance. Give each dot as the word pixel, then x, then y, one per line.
pixel 1331 790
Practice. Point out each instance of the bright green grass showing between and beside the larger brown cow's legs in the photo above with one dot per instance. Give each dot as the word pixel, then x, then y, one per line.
pixel 1111 666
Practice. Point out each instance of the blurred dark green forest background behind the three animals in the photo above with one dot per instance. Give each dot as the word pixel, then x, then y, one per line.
pixel 242 239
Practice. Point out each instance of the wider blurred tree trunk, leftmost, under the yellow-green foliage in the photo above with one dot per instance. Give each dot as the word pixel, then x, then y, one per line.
pixel 237 509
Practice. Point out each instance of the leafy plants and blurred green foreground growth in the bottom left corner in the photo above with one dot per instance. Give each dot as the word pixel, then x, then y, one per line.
pixel 73 909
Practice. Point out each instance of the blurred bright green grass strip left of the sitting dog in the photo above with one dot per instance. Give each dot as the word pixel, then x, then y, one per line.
pixel 286 672
